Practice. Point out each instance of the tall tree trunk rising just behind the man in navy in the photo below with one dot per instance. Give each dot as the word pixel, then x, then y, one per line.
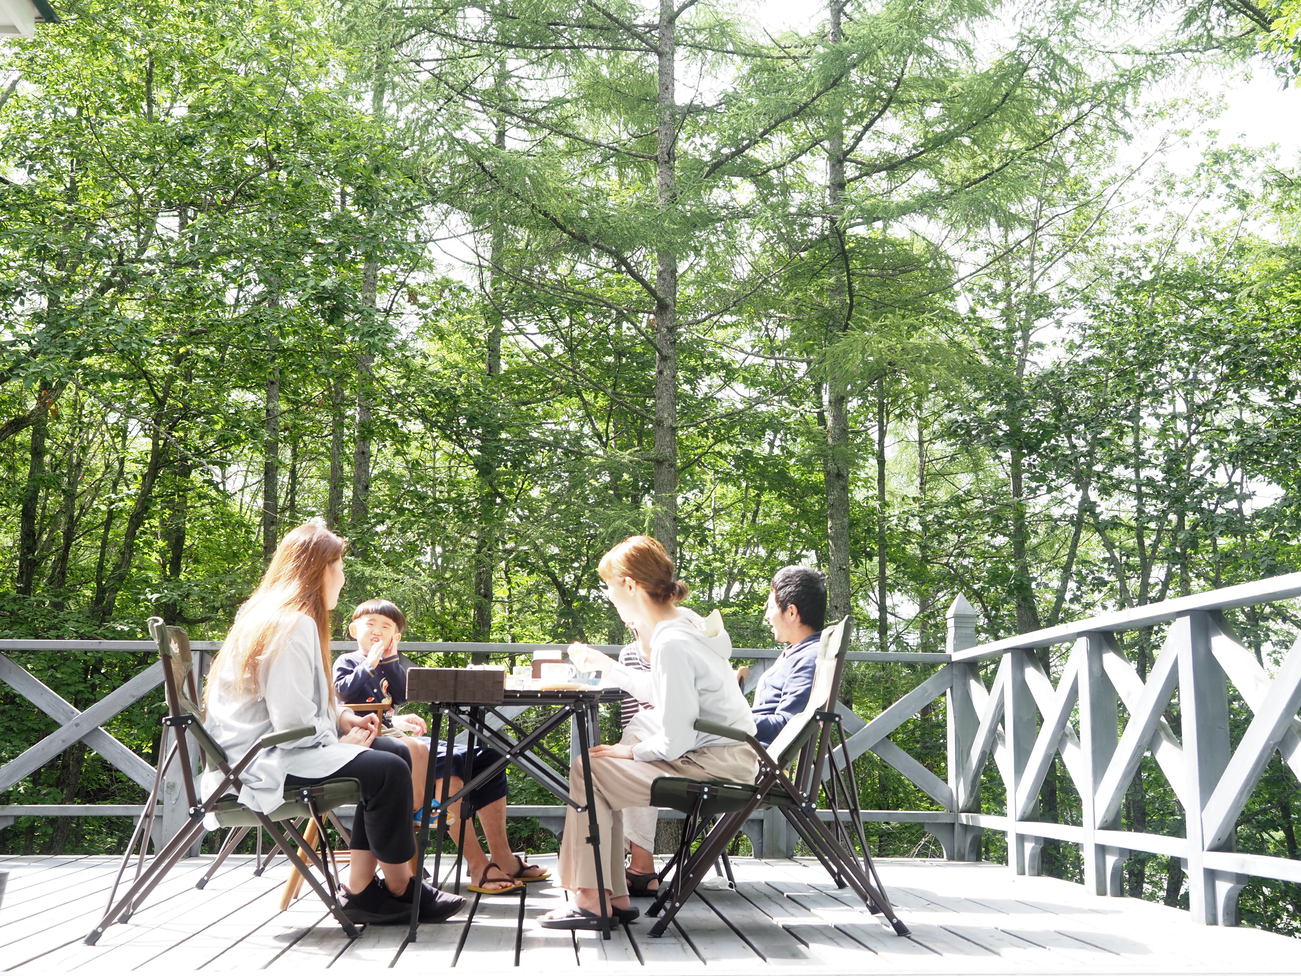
pixel 836 468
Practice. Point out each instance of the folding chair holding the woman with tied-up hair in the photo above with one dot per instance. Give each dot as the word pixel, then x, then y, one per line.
pixel 716 811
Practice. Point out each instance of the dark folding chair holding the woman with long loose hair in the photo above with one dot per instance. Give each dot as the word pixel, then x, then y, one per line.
pixel 184 723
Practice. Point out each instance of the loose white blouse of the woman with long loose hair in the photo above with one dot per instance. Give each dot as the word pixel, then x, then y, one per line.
pixel 295 693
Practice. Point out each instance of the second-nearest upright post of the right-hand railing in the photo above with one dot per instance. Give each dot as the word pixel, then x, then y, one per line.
pixel 1099 716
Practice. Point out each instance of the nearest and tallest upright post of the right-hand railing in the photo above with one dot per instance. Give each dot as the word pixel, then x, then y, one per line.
pixel 1204 724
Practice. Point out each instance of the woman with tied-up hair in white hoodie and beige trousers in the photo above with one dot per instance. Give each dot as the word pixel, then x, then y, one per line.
pixel 690 679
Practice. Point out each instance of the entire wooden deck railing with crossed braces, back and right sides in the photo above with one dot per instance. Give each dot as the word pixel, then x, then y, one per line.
pixel 1002 705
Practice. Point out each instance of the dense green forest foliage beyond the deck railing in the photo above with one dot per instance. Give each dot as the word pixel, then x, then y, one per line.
pixel 397 269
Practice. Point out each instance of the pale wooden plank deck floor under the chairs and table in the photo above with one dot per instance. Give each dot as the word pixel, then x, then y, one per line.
pixel 785 915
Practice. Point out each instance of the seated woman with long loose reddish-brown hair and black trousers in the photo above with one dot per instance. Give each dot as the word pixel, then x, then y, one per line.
pixel 274 675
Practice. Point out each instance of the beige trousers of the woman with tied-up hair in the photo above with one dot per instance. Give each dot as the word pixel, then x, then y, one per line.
pixel 620 784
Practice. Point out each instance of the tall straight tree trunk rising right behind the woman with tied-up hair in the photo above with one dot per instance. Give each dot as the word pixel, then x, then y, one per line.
pixel 667 288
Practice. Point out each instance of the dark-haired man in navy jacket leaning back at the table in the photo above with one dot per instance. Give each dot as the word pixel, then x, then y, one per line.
pixel 797 611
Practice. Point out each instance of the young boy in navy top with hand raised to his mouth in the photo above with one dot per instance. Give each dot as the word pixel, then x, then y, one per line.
pixel 374 673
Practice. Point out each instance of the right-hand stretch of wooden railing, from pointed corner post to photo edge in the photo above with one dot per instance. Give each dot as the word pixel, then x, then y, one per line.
pixel 1004 705
